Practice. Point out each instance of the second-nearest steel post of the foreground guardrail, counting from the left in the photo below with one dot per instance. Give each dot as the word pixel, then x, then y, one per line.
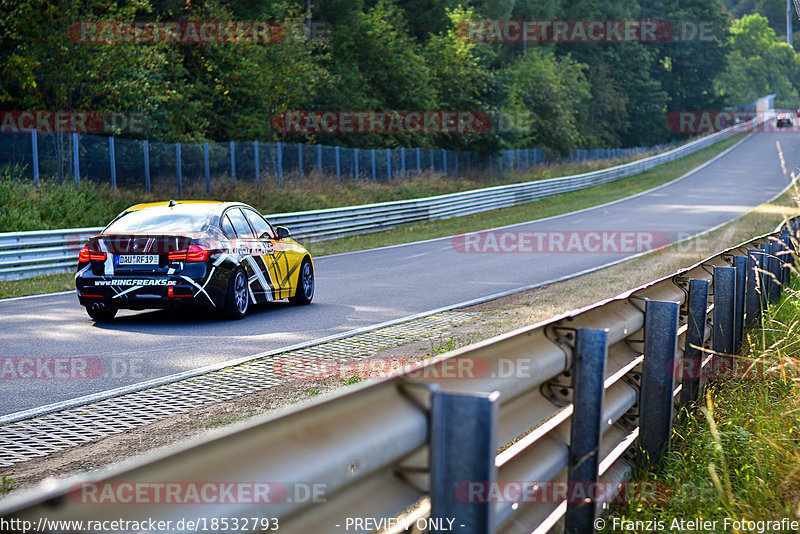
pixel 588 377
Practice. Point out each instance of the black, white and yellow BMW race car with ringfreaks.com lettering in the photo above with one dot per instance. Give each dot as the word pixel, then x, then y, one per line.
pixel 219 255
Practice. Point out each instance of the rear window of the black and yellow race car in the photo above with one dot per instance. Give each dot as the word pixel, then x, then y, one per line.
pixel 163 219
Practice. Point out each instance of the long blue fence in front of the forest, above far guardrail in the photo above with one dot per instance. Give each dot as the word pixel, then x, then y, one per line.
pixel 135 163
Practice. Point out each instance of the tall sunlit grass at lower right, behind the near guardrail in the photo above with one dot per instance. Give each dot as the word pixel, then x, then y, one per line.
pixel 737 457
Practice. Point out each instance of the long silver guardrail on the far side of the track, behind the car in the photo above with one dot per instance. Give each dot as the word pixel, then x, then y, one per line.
pixel 25 254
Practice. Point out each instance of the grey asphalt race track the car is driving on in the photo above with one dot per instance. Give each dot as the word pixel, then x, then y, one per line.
pixel 364 288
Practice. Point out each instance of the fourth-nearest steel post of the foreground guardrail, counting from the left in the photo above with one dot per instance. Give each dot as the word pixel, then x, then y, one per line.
pixel 691 369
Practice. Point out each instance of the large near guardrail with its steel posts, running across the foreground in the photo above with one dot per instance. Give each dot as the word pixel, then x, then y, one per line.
pixel 572 401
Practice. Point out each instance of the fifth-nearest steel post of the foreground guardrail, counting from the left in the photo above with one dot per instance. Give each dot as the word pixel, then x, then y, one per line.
pixel 722 333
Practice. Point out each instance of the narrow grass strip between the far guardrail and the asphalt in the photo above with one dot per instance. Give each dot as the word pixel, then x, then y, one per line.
pixel 480 221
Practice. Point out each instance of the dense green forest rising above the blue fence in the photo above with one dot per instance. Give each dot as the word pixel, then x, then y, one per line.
pixel 386 55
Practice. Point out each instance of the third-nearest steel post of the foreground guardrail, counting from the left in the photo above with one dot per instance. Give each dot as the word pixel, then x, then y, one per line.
pixel 658 379
